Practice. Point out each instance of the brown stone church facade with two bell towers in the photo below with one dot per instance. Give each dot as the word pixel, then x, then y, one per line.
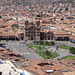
pixel 32 30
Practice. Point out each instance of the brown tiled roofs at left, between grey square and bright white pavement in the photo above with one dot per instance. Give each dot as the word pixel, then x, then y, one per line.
pixel 16 59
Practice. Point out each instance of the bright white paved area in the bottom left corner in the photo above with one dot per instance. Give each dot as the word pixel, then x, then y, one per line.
pixel 8 67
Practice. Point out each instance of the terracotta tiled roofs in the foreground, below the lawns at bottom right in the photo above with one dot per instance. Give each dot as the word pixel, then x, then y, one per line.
pixel 60 67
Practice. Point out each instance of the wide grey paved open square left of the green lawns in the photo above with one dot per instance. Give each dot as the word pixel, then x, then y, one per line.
pixel 21 48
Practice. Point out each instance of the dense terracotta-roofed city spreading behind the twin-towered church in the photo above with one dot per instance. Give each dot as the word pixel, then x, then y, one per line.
pixel 53 17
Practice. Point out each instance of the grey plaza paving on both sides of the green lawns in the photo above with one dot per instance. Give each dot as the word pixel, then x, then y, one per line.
pixel 28 53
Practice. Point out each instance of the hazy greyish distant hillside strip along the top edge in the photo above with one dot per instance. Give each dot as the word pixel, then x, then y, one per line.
pixel 18 2
